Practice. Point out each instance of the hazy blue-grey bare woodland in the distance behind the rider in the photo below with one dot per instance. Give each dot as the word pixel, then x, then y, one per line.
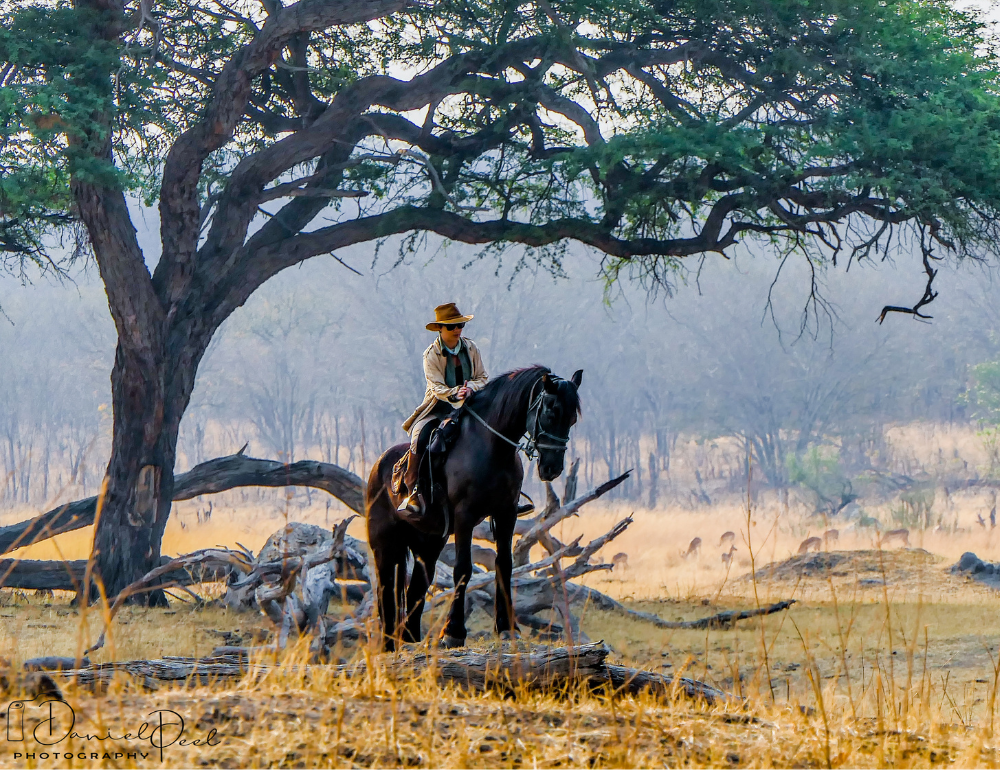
pixel 325 363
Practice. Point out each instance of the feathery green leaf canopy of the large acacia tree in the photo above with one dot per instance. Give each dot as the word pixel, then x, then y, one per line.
pixel 820 122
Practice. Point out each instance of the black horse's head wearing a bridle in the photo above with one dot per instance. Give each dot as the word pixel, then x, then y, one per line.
pixel 549 421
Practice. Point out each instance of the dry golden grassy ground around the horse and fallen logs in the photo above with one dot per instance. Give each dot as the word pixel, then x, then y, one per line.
pixel 886 659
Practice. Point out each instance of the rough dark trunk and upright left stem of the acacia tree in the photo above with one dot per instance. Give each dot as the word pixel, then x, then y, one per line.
pixel 139 480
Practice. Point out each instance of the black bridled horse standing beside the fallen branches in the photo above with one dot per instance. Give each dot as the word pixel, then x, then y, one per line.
pixel 482 476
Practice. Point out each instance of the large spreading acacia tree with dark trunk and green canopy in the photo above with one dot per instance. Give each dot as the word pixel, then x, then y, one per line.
pixel 652 131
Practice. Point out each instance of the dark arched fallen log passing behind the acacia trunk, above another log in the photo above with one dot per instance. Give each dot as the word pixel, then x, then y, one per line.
pixel 209 477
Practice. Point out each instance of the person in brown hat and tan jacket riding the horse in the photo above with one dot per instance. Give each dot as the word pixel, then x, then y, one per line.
pixel 454 370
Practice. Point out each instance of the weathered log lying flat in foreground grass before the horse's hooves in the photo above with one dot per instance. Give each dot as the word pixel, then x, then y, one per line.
pixel 558 669
